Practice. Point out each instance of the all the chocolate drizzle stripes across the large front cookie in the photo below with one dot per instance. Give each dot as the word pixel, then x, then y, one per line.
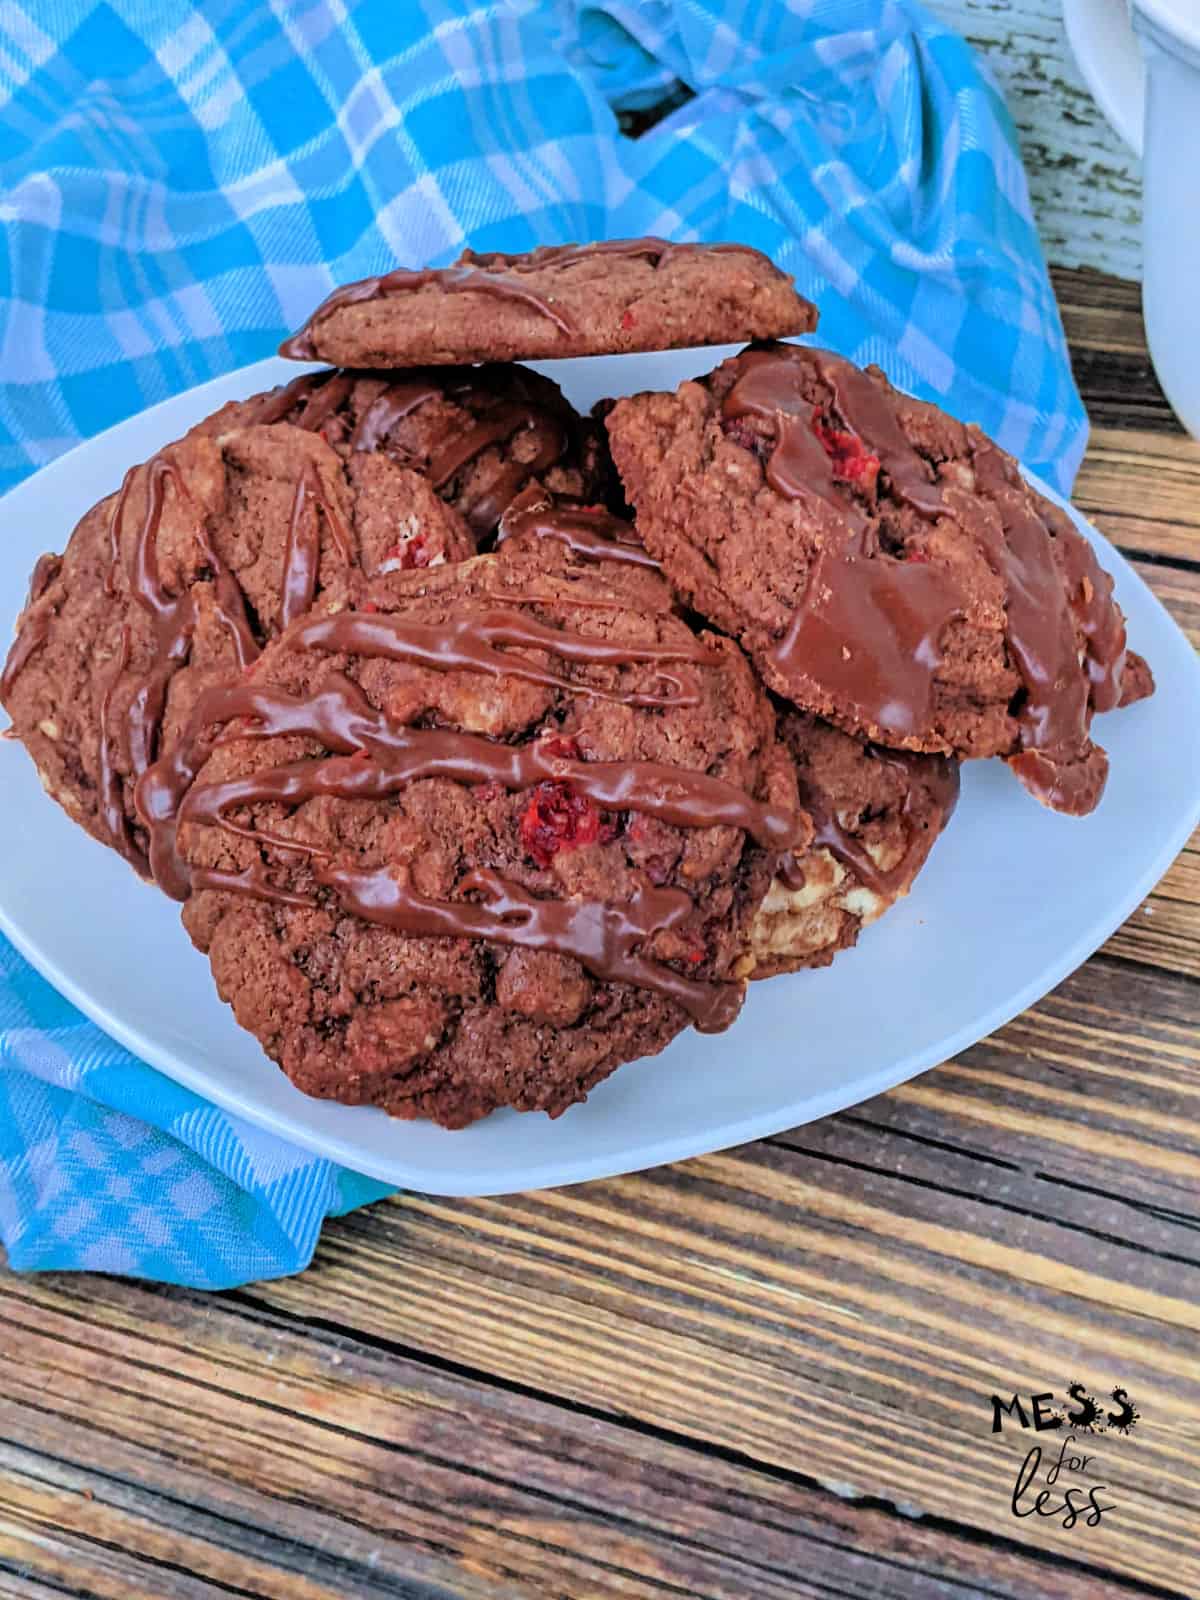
pixel 374 759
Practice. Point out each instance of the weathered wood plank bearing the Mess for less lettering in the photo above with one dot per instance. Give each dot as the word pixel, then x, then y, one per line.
pixel 846 1324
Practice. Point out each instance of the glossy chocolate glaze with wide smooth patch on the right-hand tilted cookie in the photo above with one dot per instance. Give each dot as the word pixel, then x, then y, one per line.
pixel 871 626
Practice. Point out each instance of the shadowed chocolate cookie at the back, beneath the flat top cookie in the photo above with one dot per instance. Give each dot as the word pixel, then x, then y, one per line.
pixel 479 434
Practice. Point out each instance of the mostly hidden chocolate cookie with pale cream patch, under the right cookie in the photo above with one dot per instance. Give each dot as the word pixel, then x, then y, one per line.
pixel 876 815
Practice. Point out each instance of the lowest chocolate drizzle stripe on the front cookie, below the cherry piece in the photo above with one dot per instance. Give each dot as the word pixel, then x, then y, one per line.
pixel 602 938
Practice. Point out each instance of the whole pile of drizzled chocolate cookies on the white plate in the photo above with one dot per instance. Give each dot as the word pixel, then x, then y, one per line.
pixel 489 746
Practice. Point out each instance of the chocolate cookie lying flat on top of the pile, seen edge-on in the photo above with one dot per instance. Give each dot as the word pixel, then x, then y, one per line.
pixel 566 300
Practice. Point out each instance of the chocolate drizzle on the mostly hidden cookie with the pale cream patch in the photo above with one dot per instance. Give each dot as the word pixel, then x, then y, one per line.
pixel 930 785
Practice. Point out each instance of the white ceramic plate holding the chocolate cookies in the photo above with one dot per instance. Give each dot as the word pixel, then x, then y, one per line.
pixel 1012 902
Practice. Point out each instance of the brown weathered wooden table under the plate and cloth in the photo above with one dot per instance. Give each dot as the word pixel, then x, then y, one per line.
pixel 766 1374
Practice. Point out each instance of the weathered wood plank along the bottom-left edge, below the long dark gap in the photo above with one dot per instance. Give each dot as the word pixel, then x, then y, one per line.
pixel 172 1447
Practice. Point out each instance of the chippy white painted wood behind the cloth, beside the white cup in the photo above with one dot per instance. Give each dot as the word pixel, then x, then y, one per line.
pixel 1086 183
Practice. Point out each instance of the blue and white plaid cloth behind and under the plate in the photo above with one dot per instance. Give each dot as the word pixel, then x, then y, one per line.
pixel 180 186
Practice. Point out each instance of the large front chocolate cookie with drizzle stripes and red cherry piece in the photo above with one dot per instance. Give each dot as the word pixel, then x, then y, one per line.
pixel 479 847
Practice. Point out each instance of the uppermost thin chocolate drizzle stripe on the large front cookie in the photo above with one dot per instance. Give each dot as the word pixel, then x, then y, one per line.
pixel 474 644
